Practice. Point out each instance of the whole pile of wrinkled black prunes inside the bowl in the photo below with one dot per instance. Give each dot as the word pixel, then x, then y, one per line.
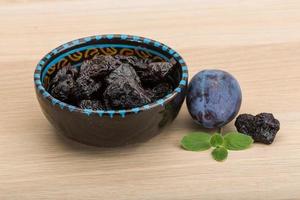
pixel 112 82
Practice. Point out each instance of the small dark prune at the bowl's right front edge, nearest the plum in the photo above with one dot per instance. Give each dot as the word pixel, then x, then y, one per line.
pixel 159 91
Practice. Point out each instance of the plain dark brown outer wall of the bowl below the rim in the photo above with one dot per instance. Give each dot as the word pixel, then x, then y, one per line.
pixel 109 132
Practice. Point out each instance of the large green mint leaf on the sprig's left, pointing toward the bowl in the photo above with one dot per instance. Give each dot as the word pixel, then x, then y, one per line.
pixel 197 141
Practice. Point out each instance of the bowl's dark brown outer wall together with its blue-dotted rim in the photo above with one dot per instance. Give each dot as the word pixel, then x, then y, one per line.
pixel 93 128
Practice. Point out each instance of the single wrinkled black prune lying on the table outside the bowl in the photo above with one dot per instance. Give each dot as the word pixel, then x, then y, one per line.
pixel 262 127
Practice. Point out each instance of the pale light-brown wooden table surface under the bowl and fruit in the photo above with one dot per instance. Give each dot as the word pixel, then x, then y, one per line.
pixel 257 41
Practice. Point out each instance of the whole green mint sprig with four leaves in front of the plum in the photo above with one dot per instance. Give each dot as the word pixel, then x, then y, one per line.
pixel 200 141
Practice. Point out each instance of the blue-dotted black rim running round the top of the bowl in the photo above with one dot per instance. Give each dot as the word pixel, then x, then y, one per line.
pixel 44 64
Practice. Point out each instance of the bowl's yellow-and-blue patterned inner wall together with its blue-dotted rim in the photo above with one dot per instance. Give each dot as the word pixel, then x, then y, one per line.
pixel 75 52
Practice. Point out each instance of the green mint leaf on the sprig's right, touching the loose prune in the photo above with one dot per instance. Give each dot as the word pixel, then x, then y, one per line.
pixel 237 141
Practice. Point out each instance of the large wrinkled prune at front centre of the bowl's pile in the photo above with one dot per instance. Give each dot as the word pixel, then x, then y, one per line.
pixel 125 91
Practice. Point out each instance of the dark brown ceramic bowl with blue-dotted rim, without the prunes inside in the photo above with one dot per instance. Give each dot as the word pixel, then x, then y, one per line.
pixel 109 128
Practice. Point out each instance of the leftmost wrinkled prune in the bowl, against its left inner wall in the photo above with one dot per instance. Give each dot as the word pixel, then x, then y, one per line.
pixel 62 86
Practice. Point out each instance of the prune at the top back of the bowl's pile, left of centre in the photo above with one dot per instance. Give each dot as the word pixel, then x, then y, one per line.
pixel 99 66
